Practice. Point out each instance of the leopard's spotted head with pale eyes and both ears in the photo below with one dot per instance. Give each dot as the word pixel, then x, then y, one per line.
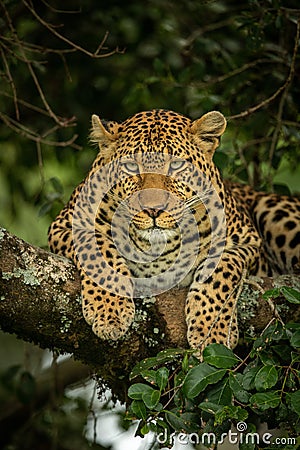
pixel 159 161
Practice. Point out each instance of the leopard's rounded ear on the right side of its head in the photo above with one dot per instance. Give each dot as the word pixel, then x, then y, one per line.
pixel 208 130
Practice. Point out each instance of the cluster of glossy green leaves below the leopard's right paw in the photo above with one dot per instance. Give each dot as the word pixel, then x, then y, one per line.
pixel 176 392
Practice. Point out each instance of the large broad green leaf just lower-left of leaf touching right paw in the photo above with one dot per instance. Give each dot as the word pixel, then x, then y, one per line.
pixel 199 377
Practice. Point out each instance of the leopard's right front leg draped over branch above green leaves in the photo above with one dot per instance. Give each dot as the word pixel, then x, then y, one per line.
pixel 211 305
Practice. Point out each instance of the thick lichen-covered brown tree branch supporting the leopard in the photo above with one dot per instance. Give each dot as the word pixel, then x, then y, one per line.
pixel 40 303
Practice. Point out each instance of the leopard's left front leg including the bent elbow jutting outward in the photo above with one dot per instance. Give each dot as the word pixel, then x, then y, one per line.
pixel 106 290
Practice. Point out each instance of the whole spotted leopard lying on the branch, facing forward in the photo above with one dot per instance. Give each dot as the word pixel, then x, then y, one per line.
pixel 154 213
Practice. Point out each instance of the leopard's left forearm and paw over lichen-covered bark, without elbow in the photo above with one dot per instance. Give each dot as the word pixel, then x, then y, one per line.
pixel 106 287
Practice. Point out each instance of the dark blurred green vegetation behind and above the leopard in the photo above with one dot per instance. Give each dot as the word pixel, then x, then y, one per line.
pixel 61 62
